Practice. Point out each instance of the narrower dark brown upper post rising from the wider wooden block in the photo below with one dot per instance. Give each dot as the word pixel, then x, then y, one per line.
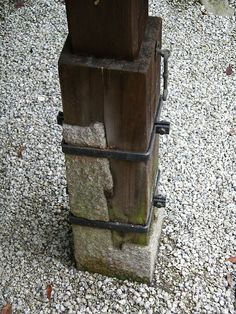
pixel 111 29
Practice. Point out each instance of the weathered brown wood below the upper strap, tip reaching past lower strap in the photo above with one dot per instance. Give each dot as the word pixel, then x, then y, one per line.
pixel 134 185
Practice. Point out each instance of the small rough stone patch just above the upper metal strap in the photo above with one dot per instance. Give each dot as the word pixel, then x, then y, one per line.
pixel 91 136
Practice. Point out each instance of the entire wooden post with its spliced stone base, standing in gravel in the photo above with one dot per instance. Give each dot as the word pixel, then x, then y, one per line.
pixel 110 83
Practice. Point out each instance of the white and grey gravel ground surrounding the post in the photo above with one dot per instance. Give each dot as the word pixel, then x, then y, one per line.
pixel 198 171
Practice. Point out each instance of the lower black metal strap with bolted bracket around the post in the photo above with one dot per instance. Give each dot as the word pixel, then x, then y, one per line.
pixel 118 226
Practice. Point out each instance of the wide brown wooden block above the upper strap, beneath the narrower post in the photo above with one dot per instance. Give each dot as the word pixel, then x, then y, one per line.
pixel 121 94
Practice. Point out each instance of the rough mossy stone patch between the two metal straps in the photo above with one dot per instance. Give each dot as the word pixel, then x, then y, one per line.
pixel 89 181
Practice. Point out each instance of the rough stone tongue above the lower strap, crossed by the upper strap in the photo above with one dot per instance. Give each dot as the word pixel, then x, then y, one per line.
pixel 89 179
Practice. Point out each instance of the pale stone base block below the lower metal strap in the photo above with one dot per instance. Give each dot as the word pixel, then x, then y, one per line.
pixel 94 252
